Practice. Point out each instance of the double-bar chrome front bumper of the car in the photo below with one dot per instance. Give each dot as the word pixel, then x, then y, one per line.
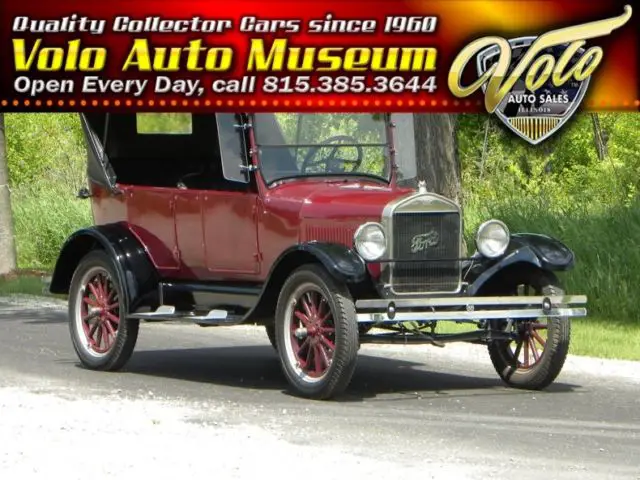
pixel 469 309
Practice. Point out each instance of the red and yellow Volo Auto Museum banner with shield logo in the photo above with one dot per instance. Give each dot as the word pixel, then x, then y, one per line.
pixel 531 63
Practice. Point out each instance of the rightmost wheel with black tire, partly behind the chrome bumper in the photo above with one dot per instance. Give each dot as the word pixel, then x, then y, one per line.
pixel 548 364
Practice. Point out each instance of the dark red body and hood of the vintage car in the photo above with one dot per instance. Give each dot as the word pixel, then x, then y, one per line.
pixel 236 235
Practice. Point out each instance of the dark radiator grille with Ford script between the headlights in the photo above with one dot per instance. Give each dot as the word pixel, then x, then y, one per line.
pixel 430 241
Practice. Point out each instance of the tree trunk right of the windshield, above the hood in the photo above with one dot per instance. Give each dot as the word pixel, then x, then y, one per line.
pixel 437 159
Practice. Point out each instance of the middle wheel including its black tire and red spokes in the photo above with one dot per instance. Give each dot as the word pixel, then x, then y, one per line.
pixel 340 329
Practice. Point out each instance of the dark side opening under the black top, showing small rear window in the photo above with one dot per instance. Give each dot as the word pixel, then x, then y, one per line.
pixel 175 150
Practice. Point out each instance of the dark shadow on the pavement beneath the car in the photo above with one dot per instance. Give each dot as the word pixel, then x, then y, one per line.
pixel 258 367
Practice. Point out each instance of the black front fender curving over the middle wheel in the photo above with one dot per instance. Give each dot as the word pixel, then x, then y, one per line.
pixel 342 263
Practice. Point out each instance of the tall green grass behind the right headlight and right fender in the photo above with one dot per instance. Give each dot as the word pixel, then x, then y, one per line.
pixel 606 243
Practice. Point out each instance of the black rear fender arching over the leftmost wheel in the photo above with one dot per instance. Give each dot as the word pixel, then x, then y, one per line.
pixel 135 270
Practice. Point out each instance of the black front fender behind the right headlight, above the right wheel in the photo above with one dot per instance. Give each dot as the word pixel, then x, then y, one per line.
pixel 525 250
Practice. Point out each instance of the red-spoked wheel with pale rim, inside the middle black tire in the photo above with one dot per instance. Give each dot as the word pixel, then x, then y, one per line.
pixel 310 330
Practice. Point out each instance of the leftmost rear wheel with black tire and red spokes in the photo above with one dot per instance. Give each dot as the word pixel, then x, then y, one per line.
pixel 113 352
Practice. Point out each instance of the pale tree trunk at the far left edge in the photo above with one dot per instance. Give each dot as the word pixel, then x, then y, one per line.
pixel 7 244
